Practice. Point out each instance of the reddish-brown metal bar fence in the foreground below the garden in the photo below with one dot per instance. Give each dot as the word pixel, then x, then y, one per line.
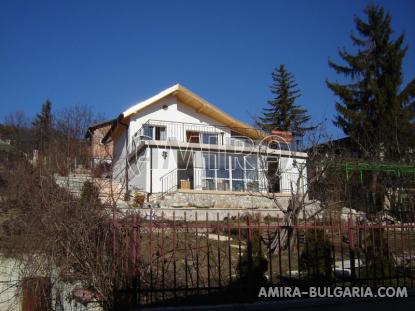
pixel 178 261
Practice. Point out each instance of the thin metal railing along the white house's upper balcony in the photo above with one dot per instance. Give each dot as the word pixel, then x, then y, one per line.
pixel 170 131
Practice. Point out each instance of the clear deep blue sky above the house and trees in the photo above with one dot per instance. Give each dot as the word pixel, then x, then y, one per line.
pixel 112 54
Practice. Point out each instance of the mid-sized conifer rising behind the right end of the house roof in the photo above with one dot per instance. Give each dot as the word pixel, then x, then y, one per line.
pixel 282 113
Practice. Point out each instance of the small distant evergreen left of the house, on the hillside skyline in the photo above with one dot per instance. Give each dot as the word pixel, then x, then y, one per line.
pixel 43 127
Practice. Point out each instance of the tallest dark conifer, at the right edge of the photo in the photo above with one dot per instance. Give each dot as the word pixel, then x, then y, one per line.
pixel 375 111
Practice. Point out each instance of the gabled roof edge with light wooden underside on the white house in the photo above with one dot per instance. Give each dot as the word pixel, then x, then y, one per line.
pixel 190 99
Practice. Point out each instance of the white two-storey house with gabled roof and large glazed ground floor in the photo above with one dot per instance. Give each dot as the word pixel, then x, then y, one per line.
pixel 177 140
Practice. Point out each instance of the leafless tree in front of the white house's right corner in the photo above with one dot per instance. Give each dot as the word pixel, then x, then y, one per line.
pixel 304 187
